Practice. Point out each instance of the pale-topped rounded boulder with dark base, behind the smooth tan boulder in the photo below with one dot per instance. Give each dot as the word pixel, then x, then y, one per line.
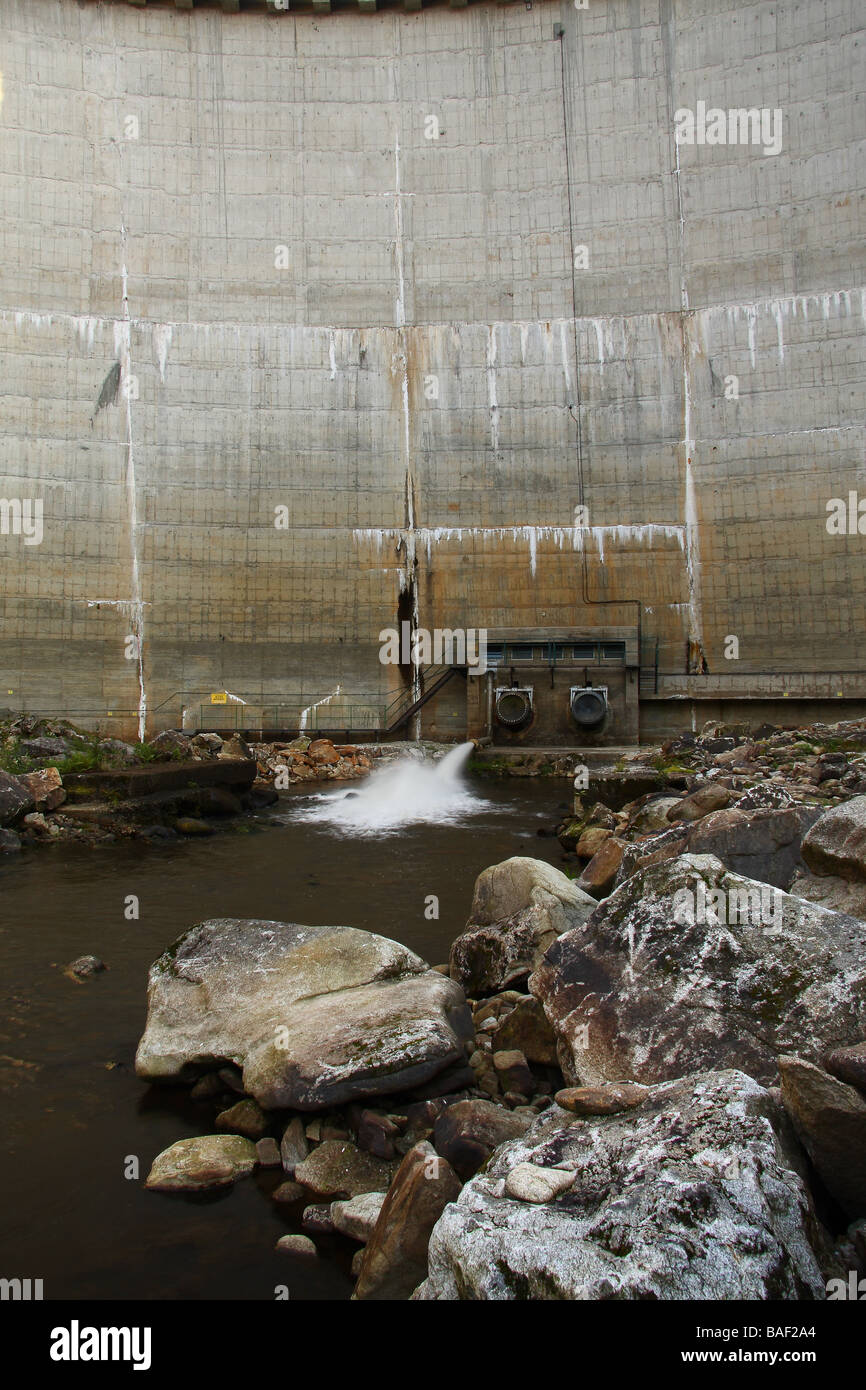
pixel 519 908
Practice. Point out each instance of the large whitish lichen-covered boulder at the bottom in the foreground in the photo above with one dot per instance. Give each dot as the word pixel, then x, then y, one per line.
pixel 694 1195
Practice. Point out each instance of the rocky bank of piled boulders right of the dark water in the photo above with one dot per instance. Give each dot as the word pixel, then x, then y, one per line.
pixel 643 1082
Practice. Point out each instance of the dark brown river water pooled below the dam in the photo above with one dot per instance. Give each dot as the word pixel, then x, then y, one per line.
pixel 76 1117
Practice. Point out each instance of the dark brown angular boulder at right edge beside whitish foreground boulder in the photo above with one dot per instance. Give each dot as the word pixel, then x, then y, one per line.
pixel 831 1120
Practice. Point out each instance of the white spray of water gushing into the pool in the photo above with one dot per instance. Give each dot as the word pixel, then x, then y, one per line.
pixel 408 793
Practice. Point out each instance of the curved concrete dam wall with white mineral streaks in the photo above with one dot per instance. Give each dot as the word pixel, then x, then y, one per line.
pixel 319 323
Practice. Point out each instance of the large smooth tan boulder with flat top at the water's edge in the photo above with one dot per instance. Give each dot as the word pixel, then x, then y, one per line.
pixel 315 1017
